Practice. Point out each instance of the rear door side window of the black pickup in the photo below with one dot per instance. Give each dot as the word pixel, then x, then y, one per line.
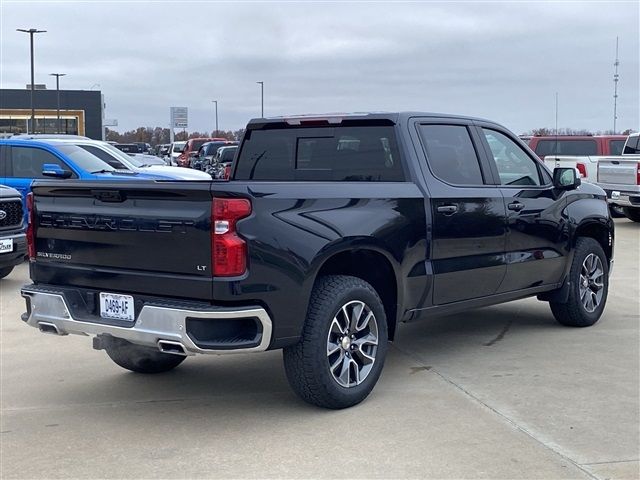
pixel 451 155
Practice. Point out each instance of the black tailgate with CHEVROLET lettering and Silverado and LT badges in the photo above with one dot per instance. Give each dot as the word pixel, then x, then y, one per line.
pixel 148 237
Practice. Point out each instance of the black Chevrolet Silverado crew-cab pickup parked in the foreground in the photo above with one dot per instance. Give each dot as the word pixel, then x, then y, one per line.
pixel 332 231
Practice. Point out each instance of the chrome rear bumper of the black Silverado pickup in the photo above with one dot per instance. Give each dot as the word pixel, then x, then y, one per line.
pixel 156 326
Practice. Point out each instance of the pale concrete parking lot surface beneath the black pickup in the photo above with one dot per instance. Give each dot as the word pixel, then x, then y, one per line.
pixel 501 392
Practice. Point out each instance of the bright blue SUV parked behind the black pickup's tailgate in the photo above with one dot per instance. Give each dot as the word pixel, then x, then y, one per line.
pixel 23 161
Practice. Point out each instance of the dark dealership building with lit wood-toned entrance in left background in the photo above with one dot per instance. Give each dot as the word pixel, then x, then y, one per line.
pixel 81 112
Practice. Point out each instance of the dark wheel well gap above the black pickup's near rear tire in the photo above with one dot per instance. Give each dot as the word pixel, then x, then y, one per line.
pixel 373 265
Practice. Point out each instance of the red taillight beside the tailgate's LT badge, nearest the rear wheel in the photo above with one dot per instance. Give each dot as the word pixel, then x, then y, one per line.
pixel 229 251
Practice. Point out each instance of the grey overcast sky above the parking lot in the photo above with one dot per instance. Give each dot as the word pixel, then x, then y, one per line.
pixel 500 60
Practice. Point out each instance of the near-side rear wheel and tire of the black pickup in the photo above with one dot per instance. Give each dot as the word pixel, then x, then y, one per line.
pixel 341 353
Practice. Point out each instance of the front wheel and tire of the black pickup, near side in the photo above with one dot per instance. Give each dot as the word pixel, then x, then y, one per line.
pixel 588 287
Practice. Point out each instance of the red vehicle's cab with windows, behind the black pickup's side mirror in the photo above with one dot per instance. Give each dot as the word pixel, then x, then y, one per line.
pixel 577 145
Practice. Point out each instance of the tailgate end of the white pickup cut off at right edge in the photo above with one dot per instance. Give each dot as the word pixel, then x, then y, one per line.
pixel 620 177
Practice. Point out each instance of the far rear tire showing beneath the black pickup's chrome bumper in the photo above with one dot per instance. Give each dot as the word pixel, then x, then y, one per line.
pixel 141 359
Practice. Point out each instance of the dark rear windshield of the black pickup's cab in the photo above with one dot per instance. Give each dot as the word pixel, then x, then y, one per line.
pixel 355 154
